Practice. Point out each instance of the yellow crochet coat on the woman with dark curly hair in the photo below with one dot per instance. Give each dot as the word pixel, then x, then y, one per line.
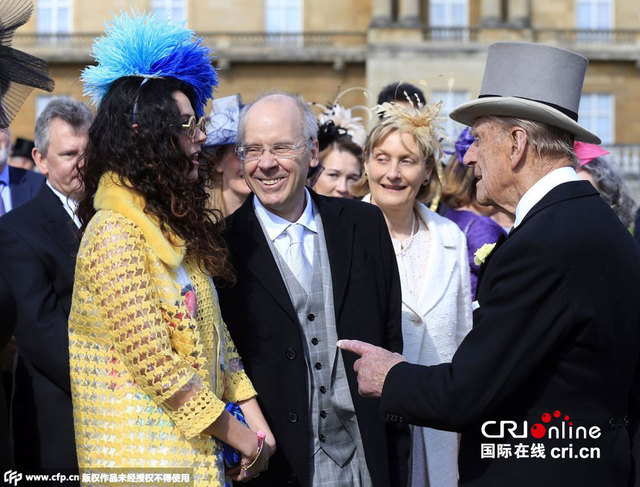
pixel 150 368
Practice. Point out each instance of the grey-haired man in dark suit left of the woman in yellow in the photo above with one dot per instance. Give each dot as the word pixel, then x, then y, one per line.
pixel 39 244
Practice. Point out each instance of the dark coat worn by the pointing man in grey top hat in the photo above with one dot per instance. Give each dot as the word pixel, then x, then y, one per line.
pixel 558 329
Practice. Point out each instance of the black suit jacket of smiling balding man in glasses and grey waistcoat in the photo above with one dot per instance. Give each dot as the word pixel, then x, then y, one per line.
pixel 265 329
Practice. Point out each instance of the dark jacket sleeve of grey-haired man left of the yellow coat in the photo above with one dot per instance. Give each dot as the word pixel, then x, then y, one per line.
pixel 42 322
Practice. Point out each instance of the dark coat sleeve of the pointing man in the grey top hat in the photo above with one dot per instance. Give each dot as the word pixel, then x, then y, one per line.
pixel 514 330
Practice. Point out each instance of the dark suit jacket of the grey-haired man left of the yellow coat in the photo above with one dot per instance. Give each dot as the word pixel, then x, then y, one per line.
pixel 39 244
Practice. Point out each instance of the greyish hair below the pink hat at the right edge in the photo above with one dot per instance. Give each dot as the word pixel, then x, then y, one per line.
pixel 612 188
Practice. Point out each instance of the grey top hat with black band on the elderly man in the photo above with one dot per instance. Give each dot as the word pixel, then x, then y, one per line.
pixel 531 81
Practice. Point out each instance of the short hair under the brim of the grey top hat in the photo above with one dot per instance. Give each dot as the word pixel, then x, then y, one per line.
pixel 546 141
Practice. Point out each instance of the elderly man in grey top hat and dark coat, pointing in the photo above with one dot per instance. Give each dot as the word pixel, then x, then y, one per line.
pixel 545 387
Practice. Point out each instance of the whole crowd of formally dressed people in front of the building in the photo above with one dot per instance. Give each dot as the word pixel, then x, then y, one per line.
pixel 270 293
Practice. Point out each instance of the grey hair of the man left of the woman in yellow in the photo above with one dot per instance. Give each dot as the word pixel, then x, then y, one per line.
pixel 75 113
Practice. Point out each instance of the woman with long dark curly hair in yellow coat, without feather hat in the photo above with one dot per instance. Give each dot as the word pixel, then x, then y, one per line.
pixel 152 363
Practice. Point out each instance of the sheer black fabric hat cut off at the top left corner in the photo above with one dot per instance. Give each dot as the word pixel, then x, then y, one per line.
pixel 20 73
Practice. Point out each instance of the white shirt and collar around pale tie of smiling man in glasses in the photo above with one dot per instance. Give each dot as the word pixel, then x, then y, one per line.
pixel 276 227
